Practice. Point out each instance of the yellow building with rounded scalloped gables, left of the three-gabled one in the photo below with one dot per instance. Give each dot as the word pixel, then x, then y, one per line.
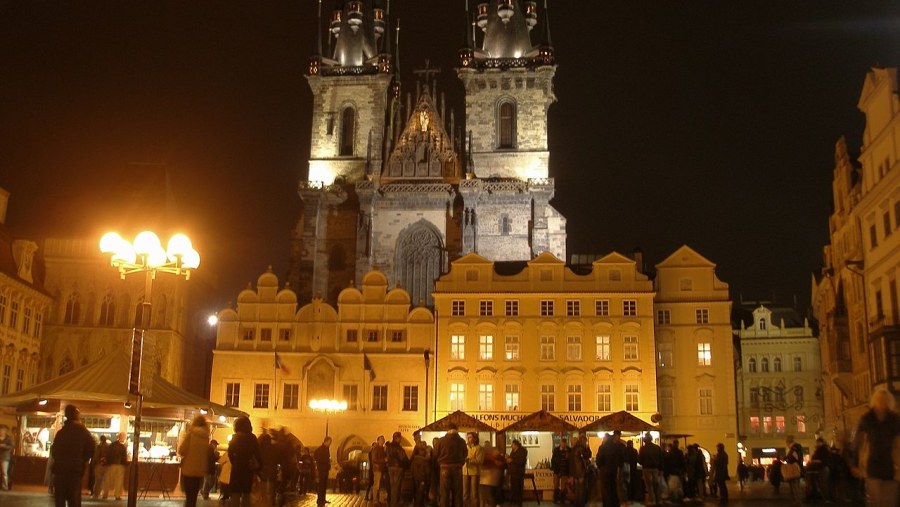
pixel 369 351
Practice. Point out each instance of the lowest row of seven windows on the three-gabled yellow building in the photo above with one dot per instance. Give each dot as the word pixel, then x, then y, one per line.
pixel 574 397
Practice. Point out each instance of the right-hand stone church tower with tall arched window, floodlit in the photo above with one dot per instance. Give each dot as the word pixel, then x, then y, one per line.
pixel 507 67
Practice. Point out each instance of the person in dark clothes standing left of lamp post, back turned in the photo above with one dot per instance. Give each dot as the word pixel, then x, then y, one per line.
pixel 72 449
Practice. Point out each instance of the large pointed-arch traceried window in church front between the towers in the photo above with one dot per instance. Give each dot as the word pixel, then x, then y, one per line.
pixel 419 260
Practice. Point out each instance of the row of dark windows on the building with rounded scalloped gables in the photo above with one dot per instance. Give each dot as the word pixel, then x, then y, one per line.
pixel 290 396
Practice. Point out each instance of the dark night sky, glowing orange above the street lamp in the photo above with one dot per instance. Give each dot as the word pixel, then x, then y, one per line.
pixel 704 123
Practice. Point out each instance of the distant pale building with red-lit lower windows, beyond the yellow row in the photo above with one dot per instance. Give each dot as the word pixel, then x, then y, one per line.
pixel 779 383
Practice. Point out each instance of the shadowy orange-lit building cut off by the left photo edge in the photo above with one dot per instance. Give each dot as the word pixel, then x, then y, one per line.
pixel 23 307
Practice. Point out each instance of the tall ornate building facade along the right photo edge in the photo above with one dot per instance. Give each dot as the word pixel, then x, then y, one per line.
pixel 855 299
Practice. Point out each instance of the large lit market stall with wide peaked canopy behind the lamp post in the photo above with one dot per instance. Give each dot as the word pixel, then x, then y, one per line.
pixel 100 390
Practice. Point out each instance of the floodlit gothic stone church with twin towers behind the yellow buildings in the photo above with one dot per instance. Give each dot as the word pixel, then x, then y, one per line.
pixel 397 187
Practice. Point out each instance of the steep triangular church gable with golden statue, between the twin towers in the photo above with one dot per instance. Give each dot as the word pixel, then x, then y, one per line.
pixel 424 149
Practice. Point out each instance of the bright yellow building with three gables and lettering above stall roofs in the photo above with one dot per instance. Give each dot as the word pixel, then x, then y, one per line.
pixel 578 345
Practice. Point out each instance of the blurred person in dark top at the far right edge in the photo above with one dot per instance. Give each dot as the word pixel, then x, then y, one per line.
pixel 878 450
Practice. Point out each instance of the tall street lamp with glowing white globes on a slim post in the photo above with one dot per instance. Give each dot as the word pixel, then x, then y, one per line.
pixel 145 255
